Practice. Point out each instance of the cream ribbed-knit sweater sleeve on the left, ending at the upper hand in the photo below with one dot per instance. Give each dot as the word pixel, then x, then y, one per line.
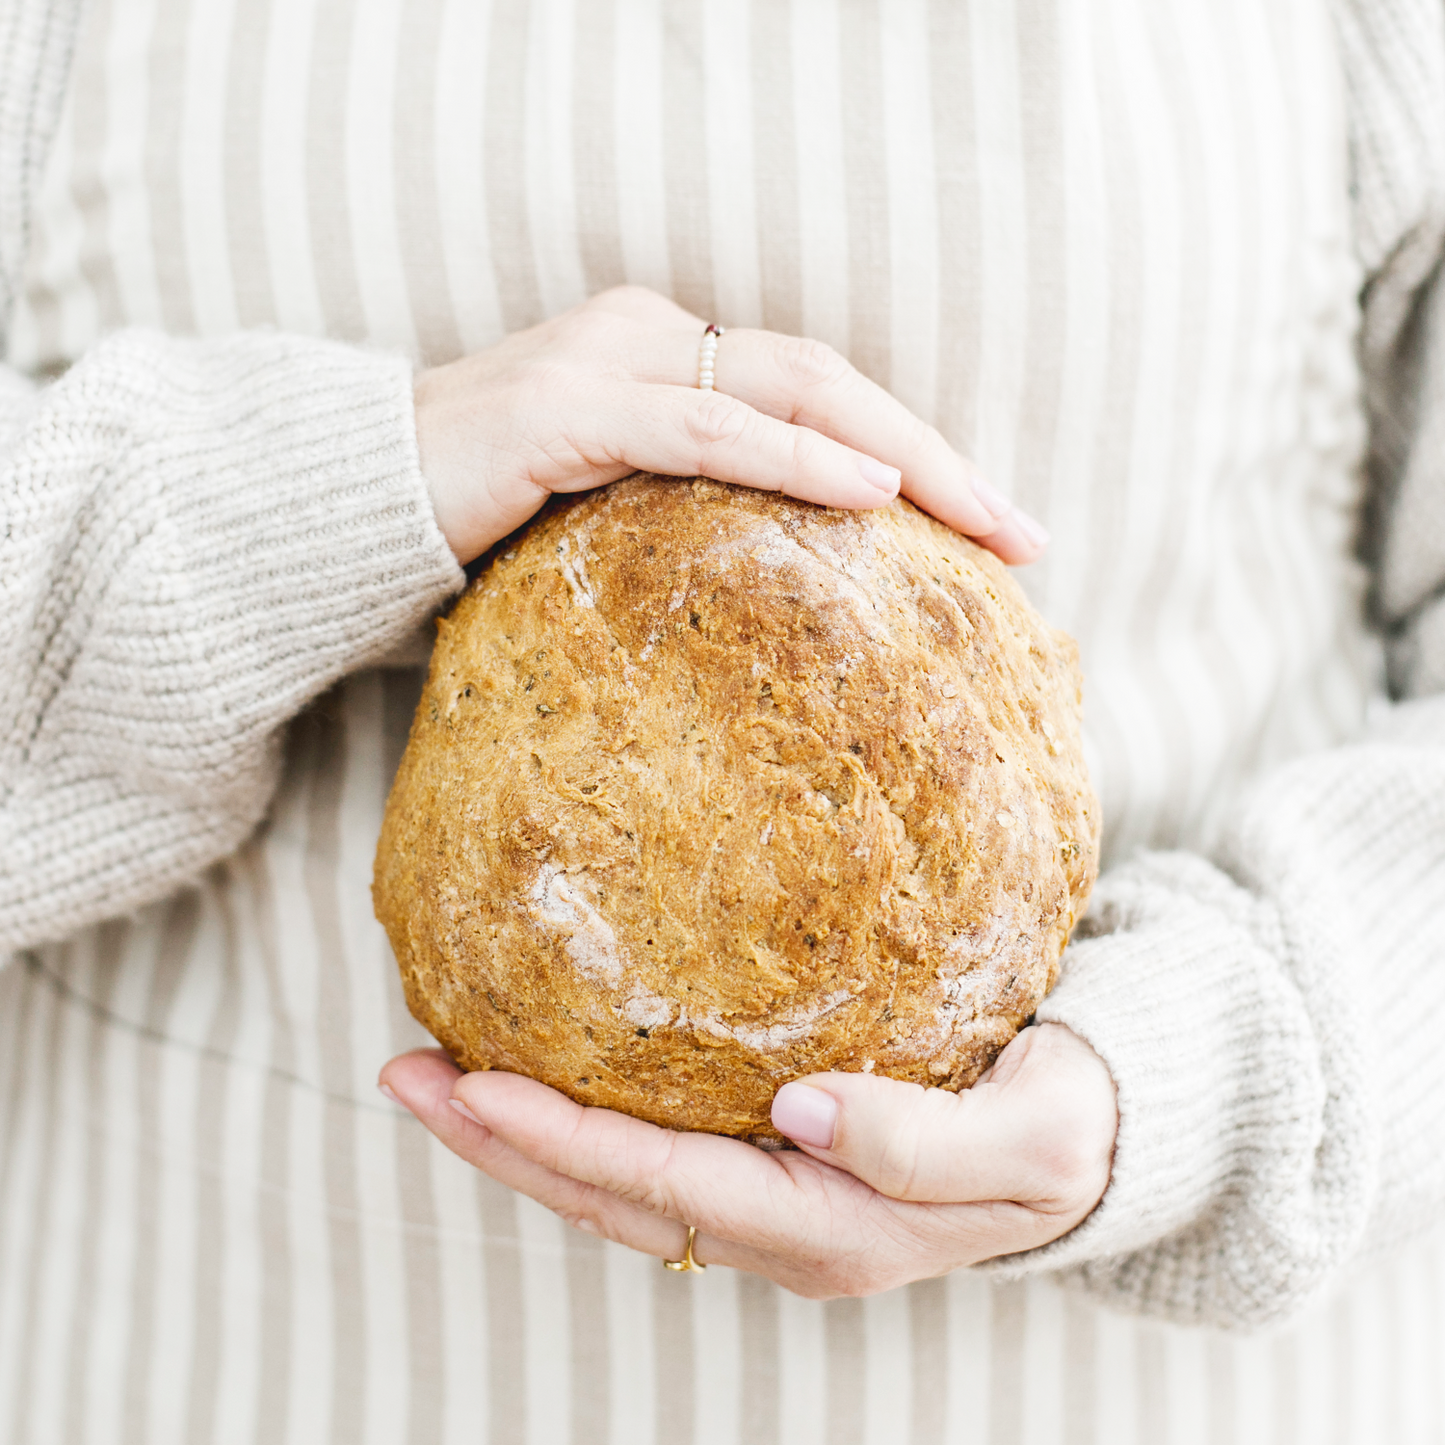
pixel 196 540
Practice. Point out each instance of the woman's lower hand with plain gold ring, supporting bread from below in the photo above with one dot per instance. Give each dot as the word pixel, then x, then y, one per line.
pixel 892 1183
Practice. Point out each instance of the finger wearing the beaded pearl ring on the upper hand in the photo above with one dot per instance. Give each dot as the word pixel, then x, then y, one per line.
pixel 807 384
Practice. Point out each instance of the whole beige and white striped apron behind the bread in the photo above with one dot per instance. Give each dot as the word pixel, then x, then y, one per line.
pixel 1105 248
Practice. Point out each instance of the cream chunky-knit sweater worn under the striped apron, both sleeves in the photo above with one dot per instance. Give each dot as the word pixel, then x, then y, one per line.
pixel 203 537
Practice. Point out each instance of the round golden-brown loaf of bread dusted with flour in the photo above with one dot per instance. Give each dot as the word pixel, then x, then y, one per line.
pixel 712 790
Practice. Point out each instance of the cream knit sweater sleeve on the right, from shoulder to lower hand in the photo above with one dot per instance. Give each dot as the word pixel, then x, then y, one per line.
pixel 1271 1015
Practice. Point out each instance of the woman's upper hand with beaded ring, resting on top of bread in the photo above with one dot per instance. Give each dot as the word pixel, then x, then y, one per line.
pixel 611 388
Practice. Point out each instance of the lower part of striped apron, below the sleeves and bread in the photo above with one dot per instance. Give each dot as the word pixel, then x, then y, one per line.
pixel 215 1230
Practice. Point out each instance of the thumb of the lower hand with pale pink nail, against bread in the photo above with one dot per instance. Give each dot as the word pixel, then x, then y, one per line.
pixel 1040 1134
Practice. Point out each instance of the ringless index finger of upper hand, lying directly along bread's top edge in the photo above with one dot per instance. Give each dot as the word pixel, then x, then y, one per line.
pixel 684 433
